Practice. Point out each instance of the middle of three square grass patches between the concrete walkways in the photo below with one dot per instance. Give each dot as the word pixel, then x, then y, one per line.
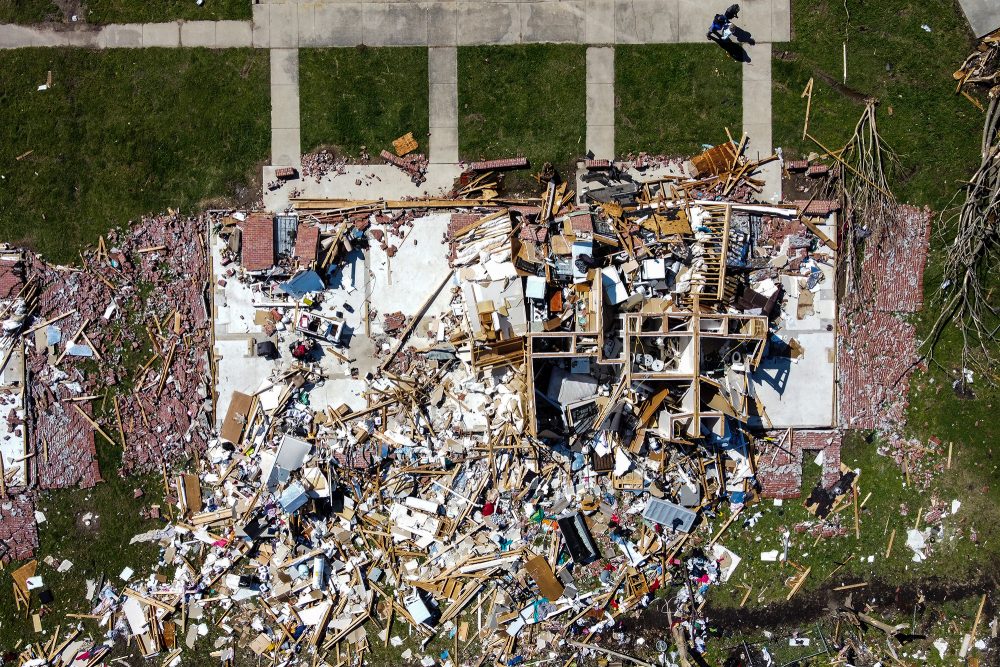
pixel 525 101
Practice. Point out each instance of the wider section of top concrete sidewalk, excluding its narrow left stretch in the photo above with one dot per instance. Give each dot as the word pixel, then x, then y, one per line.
pixel 462 22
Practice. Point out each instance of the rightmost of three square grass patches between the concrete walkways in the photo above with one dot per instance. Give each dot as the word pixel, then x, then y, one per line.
pixel 672 98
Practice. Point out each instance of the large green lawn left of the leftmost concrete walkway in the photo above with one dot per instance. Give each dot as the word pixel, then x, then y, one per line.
pixel 122 133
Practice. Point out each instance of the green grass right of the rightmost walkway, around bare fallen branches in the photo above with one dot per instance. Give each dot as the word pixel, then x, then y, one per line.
pixel 890 57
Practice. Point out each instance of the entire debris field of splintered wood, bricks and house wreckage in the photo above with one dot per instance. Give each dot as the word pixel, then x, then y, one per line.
pixel 472 428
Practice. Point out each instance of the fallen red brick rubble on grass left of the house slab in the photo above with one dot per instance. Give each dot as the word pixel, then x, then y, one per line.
pixel 159 296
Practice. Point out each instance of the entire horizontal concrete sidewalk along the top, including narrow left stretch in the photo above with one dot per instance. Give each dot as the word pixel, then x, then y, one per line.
pixel 434 23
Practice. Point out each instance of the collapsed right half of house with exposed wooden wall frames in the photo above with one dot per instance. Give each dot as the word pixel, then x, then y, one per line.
pixel 648 318
